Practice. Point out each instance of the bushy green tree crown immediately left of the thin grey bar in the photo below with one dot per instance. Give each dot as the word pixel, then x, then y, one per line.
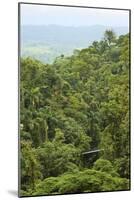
pixel 57 158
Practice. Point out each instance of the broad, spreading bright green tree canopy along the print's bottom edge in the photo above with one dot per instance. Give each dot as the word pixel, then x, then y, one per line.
pixel 77 182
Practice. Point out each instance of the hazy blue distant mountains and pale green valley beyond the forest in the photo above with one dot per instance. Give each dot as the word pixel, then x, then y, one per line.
pixel 46 42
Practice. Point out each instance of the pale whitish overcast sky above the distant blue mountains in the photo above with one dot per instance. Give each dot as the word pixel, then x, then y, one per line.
pixel 70 16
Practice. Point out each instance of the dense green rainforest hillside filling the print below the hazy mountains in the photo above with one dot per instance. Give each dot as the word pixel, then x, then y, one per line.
pixel 71 107
